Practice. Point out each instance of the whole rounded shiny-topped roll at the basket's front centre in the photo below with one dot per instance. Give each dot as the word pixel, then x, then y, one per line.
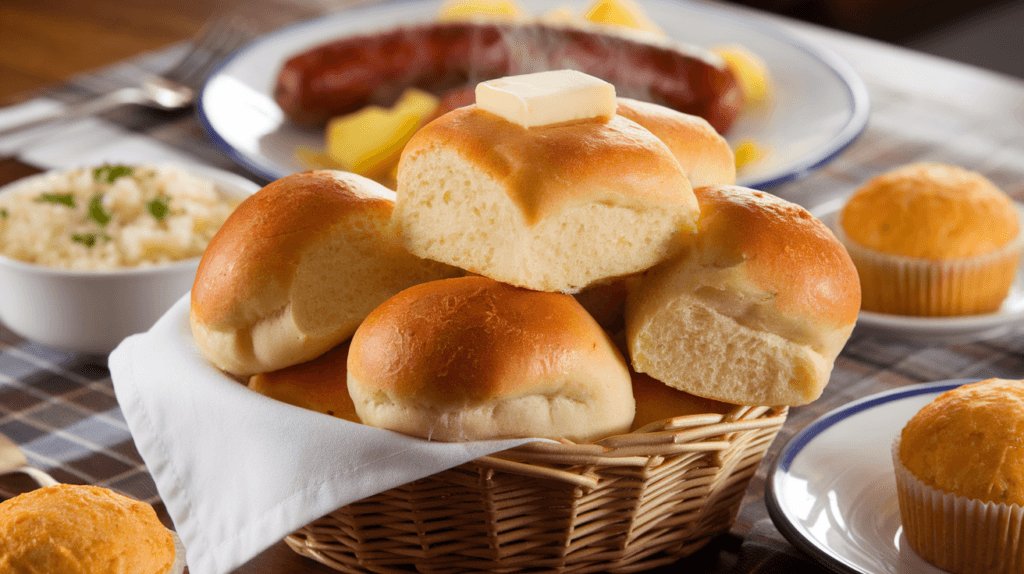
pixel 472 359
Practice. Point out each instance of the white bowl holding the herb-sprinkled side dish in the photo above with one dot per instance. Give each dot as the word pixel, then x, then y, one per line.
pixel 94 312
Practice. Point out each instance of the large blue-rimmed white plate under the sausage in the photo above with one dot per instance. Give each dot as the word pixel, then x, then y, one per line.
pixel 821 104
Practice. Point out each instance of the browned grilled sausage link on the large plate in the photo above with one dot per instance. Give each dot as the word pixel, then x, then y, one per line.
pixel 374 69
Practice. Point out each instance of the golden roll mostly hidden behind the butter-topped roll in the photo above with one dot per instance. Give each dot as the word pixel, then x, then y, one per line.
pixel 705 156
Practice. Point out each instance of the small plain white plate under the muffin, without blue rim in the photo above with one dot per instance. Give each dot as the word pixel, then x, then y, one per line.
pixel 948 331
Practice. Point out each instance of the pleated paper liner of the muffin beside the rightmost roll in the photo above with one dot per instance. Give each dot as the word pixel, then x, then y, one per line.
pixel 909 286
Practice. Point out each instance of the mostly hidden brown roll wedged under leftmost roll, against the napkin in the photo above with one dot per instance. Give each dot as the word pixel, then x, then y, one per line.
pixel 320 385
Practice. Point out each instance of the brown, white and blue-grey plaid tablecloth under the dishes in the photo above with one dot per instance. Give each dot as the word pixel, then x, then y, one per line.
pixel 61 407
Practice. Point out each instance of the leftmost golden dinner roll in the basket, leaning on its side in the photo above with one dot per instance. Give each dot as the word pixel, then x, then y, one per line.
pixel 296 268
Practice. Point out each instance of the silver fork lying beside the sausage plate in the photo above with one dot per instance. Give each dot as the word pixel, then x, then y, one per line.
pixel 175 90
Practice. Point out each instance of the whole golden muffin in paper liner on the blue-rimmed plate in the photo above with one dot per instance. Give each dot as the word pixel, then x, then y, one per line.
pixel 960 476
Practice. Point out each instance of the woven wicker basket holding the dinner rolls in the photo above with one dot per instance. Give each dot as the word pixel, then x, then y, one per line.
pixel 626 504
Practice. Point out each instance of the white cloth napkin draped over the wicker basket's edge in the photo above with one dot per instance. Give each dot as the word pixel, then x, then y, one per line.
pixel 239 471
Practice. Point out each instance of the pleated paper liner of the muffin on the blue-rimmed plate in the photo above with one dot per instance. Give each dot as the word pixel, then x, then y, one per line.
pixel 956 534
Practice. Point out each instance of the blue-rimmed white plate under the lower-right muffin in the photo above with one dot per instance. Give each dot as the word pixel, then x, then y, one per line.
pixel 832 492
